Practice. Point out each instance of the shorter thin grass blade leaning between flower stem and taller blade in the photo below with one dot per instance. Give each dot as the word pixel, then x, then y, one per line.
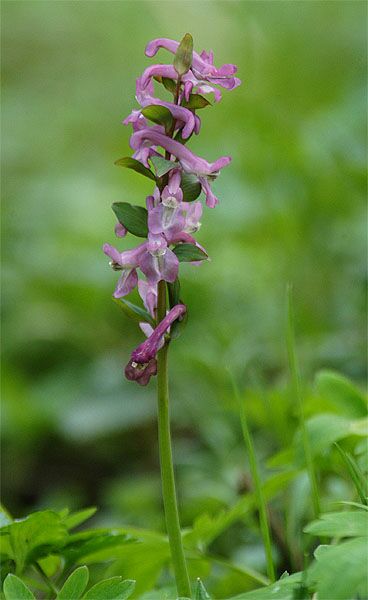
pixel 261 504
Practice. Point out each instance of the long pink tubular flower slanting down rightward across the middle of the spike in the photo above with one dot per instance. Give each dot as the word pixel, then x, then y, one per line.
pixel 190 162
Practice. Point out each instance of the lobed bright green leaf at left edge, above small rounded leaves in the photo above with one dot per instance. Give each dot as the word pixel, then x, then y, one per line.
pixel 34 537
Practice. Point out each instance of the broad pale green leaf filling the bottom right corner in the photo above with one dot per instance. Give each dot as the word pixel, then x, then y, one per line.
pixel 341 571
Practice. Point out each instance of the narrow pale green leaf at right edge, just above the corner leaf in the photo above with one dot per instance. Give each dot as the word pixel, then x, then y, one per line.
pixel 340 524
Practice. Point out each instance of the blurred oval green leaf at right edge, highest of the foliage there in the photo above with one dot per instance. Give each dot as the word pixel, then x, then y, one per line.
pixel 341 393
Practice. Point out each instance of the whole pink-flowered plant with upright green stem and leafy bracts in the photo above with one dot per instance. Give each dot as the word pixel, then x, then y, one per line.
pixel 161 132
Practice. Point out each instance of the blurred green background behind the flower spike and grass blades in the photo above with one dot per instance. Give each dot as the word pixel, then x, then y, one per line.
pixel 292 210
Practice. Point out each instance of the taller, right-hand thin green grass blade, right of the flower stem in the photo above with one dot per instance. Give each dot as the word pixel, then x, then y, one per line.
pixel 295 382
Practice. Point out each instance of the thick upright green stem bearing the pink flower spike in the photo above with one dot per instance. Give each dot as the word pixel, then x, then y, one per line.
pixel 166 460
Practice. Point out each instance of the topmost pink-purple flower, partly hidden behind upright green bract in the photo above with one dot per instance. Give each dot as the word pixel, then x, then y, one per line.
pixel 202 68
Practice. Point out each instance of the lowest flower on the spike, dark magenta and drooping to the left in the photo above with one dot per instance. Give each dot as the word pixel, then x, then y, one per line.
pixel 142 364
